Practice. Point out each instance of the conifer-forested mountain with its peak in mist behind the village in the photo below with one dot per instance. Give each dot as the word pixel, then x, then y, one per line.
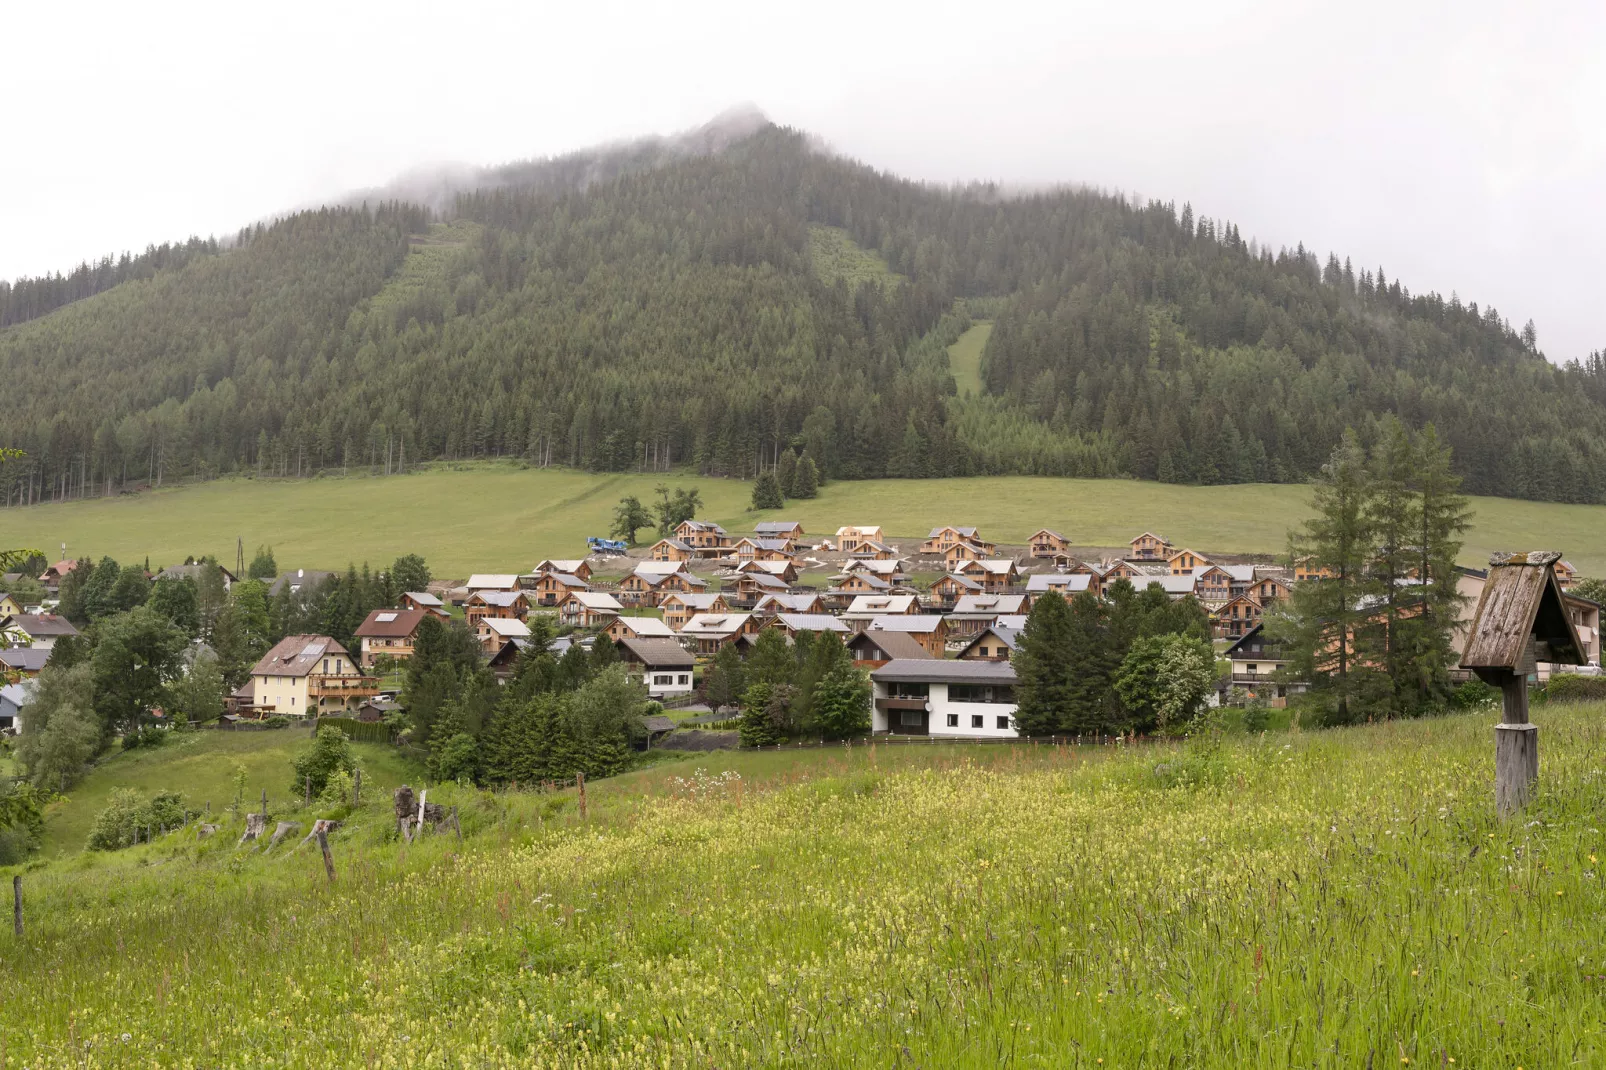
pixel 717 303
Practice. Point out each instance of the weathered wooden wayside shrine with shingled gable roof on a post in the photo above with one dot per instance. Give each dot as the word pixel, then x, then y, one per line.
pixel 1522 621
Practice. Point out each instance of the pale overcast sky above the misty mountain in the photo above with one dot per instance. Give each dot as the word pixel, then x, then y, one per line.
pixel 1459 145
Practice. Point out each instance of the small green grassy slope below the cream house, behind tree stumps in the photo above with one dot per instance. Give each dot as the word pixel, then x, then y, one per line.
pixel 202 766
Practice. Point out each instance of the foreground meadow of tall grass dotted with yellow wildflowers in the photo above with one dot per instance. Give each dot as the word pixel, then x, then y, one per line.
pixel 1337 899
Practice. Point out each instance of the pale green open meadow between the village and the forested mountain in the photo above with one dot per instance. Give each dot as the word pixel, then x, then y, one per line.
pixel 503 518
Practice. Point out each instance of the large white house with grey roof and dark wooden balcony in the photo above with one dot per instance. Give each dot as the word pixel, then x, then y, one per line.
pixel 963 700
